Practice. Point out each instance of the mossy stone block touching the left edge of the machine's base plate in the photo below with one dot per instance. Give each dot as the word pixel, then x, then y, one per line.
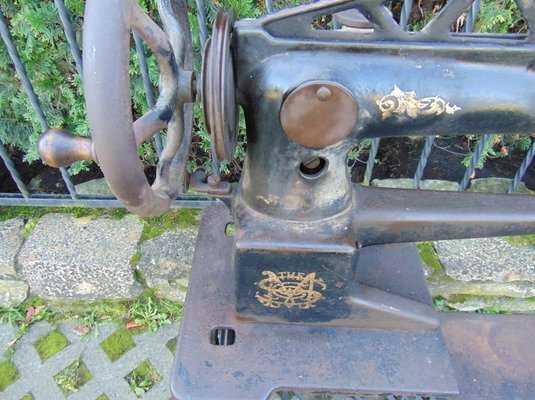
pixel 166 262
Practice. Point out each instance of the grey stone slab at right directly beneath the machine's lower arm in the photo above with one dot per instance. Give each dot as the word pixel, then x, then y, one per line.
pixel 486 260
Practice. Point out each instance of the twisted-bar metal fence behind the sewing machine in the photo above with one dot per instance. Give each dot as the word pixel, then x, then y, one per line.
pixel 25 197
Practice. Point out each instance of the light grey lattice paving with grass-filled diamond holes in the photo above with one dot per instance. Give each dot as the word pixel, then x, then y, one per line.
pixel 108 379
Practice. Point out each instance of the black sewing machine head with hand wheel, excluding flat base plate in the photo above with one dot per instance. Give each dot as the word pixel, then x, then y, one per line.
pixel 308 97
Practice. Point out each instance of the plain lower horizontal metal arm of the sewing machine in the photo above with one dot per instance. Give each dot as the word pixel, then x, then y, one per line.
pixel 397 215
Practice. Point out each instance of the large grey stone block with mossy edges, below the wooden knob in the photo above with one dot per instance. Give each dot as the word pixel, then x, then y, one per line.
pixel 81 258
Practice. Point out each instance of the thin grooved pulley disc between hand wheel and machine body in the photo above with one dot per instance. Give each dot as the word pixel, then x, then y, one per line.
pixel 218 88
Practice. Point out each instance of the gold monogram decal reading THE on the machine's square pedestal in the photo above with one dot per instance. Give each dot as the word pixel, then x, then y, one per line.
pixel 290 289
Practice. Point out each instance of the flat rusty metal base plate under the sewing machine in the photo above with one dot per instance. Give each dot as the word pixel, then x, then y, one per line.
pixel 270 357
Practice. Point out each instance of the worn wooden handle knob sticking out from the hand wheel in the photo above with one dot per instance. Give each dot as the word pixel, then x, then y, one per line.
pixel 59 148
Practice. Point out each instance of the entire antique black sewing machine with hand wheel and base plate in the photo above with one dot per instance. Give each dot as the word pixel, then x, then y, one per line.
pixel 319 289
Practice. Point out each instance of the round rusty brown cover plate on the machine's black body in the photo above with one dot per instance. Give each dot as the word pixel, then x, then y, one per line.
pixel 319 114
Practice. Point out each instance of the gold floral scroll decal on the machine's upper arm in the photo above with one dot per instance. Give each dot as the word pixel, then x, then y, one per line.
pixel 400 102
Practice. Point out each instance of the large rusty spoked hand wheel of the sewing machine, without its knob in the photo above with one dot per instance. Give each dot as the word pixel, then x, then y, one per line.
pixel 108 24
